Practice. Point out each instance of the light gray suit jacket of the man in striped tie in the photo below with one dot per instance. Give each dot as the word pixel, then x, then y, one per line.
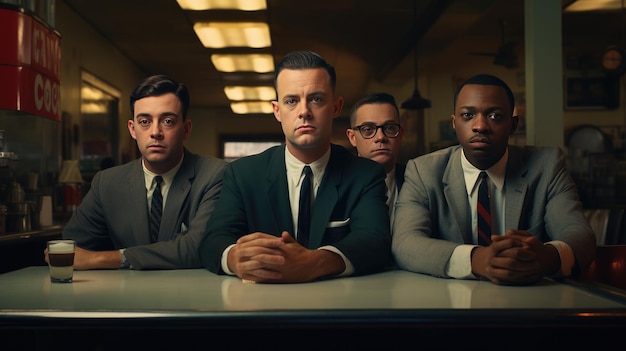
pixel 433 215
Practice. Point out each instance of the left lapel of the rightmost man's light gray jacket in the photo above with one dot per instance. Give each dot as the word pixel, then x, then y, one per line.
pixel 456 197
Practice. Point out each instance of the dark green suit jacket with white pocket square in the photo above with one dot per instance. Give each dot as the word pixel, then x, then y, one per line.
pixel 349 211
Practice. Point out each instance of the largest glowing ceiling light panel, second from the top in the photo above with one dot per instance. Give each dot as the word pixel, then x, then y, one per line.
pixel 233 34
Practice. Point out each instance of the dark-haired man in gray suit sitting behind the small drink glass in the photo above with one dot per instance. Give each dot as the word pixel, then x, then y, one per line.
pixel 112 224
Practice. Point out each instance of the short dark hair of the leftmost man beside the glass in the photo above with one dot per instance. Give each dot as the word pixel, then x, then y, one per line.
pixel 158 85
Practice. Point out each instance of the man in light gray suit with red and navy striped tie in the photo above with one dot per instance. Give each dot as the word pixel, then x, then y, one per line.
pixel 537 224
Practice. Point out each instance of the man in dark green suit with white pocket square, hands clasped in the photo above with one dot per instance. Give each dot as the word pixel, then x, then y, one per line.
pixel 253 232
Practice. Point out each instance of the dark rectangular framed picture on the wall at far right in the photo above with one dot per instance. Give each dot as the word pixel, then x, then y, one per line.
pixel 591 93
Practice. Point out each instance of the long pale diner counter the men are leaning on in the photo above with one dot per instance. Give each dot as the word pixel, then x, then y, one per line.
pixel 393 301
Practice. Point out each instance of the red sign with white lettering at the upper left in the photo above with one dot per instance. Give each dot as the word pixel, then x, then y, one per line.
pixel 30 65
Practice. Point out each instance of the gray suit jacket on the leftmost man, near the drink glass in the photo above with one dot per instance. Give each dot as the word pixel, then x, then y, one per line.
pixel 114 214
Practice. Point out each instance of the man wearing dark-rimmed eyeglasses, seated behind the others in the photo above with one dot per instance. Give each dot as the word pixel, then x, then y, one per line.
pixel 376 133
